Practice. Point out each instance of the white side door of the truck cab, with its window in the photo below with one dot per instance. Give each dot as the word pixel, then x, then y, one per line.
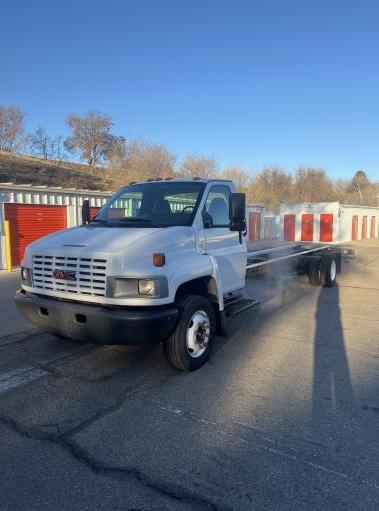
pixel 221 242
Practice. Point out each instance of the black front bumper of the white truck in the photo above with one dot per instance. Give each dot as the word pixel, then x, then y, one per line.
pixel 98 324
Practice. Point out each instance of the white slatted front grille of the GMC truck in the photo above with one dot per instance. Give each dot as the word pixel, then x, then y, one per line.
pixel 89 274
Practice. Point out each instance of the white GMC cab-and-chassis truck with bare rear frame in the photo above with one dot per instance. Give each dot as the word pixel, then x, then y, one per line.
pixel 163 260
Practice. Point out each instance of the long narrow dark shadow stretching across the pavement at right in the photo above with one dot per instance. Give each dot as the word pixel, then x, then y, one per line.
pixel 332 386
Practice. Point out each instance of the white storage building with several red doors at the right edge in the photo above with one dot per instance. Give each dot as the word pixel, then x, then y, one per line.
pixel 328 222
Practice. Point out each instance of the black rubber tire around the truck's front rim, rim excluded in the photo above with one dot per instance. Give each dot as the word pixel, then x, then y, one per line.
pixel 175 347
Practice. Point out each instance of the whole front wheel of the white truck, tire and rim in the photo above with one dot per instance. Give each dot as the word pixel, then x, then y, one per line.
pixel 190 345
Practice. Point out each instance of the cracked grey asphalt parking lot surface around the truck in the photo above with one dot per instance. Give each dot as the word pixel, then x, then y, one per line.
pixel 285 415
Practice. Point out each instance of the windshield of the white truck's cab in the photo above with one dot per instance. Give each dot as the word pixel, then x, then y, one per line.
pixel 157 204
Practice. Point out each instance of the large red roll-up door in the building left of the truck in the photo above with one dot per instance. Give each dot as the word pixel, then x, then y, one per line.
pixel 28 222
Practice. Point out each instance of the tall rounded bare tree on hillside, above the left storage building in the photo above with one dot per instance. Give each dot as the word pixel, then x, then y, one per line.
pixel 90 136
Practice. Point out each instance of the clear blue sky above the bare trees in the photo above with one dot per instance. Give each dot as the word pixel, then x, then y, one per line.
pixel 250 82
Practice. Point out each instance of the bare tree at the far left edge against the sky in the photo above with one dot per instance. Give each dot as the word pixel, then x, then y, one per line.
pixel 11 128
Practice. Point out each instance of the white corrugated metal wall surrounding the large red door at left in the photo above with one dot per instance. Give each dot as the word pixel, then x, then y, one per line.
pixel 24 194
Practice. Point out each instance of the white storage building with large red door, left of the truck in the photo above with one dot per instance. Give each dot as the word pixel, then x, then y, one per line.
pixel 35 211
